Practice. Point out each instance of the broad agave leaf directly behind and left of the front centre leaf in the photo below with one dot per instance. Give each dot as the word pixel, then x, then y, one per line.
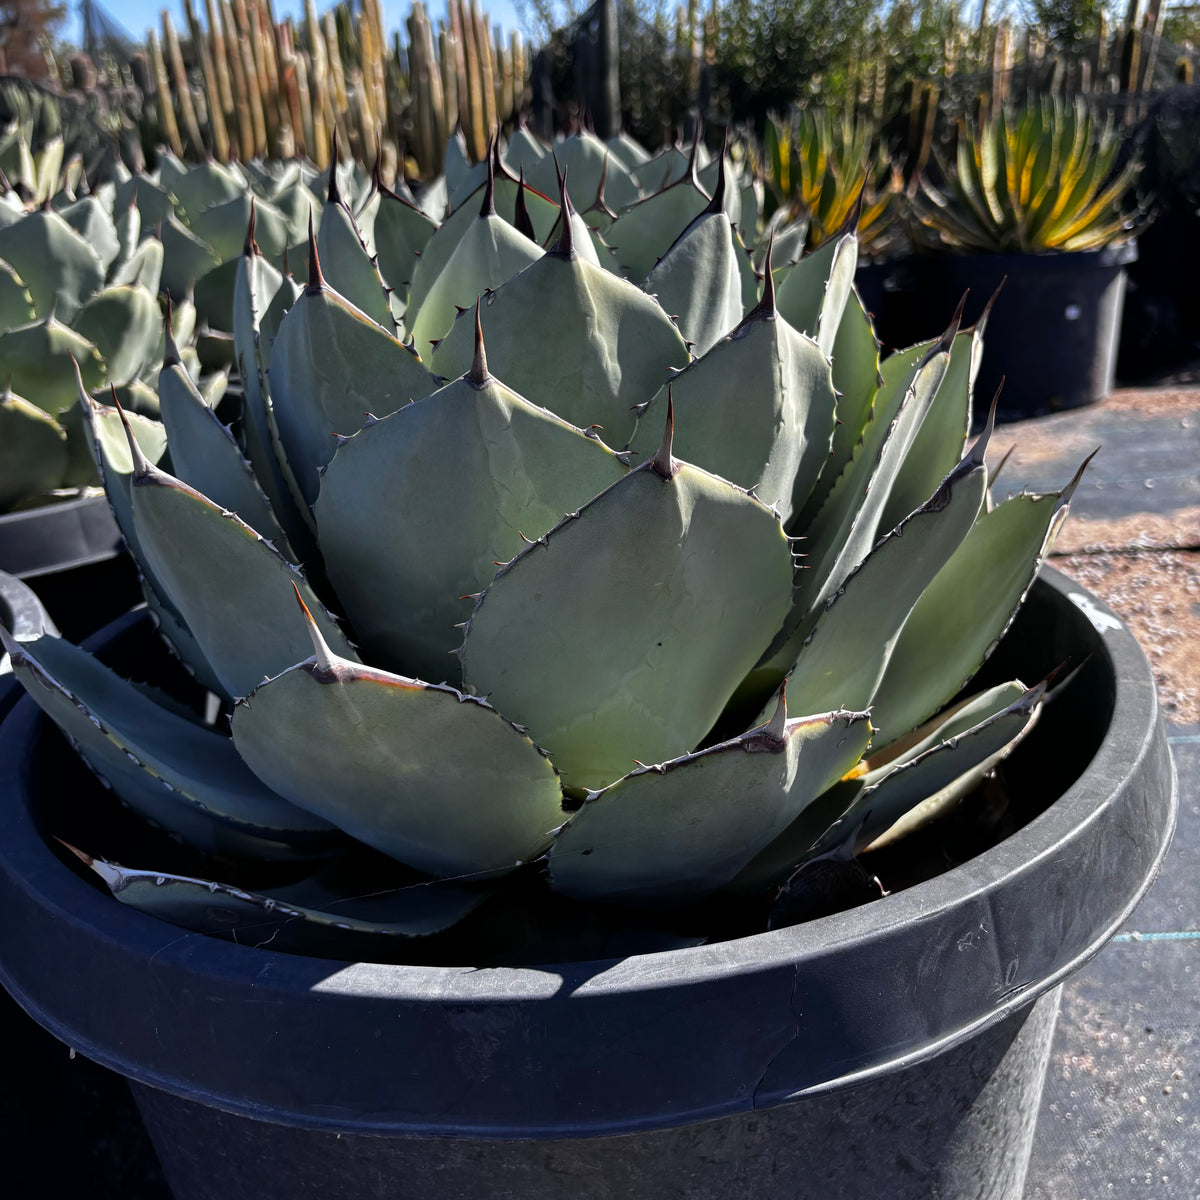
pixel 489 469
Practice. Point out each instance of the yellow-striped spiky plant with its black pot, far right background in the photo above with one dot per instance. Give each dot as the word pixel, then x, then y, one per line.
pixel 1039 201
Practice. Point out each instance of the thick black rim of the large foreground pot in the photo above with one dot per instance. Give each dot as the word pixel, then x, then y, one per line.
pixel 509 1041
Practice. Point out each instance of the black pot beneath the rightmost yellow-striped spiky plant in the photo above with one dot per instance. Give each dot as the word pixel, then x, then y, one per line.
pixel 1054 333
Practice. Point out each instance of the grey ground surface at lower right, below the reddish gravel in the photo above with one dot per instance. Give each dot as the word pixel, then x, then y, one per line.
pixel 1121 1109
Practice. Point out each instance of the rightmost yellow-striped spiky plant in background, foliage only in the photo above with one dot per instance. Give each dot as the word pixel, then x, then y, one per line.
pixel 1046 179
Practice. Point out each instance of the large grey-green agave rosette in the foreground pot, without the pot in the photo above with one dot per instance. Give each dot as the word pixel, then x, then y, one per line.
pixel 563 607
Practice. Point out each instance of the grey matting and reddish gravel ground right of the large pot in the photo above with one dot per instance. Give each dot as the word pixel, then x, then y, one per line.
pixel 1121 1111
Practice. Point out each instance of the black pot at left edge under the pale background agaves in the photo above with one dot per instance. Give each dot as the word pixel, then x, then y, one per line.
pixel 74 557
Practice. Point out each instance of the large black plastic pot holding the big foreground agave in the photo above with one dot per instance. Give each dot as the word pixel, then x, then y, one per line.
pixel 896 1051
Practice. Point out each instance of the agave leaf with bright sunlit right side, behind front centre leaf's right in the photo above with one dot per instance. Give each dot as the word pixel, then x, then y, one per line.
pixel 757 410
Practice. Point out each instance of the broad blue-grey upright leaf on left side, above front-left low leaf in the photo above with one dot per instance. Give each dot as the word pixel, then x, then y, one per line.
pixel 209 563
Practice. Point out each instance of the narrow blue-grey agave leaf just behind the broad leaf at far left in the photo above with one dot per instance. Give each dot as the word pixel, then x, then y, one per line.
pixel 206 457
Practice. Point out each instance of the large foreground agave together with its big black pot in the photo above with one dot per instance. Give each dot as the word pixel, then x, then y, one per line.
pixel 535 712
